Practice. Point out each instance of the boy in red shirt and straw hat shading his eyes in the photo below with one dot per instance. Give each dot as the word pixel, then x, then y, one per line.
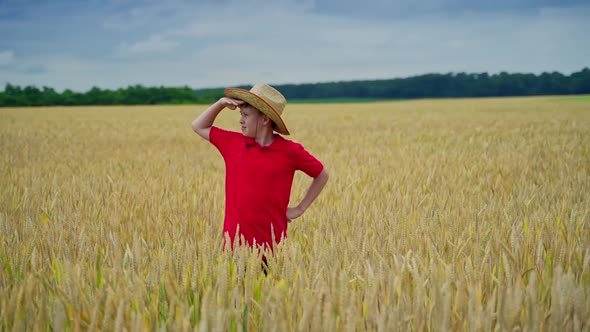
pixel 260 166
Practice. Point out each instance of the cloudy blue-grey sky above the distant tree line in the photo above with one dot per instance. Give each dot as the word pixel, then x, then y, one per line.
pixel 111 44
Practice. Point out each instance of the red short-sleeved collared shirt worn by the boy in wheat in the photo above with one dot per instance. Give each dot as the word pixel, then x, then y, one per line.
pixel 258 183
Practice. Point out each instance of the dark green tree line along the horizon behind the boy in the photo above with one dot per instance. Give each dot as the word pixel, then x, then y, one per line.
pixel 450 85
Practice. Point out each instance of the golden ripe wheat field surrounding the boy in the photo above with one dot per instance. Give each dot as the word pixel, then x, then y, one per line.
pixel 439 214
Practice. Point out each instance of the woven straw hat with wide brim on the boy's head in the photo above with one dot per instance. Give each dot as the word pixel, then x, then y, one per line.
pixel 266 99
